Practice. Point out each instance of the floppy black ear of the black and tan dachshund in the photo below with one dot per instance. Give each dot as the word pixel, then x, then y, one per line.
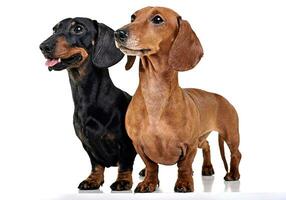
pixel 105 53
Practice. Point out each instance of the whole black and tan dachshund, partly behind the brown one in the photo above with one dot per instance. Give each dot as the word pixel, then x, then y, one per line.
pixel 86 49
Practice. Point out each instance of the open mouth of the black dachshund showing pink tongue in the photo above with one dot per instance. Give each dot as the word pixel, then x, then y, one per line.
pixel 60 63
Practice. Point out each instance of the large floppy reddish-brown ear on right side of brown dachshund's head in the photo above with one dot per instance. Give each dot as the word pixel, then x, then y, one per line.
pixel 186 50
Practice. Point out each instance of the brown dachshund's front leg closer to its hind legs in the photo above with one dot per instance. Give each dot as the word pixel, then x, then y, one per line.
pixel 185 173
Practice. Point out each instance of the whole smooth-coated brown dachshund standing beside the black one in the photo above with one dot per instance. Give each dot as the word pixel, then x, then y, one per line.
pixel 165 122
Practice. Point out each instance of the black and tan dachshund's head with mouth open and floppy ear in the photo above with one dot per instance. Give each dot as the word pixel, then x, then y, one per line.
pixel 75 41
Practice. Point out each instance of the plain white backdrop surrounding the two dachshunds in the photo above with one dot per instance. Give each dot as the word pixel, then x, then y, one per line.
pixel 244 45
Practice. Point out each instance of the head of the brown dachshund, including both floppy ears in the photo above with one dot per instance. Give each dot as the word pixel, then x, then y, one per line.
pixel 160 31
